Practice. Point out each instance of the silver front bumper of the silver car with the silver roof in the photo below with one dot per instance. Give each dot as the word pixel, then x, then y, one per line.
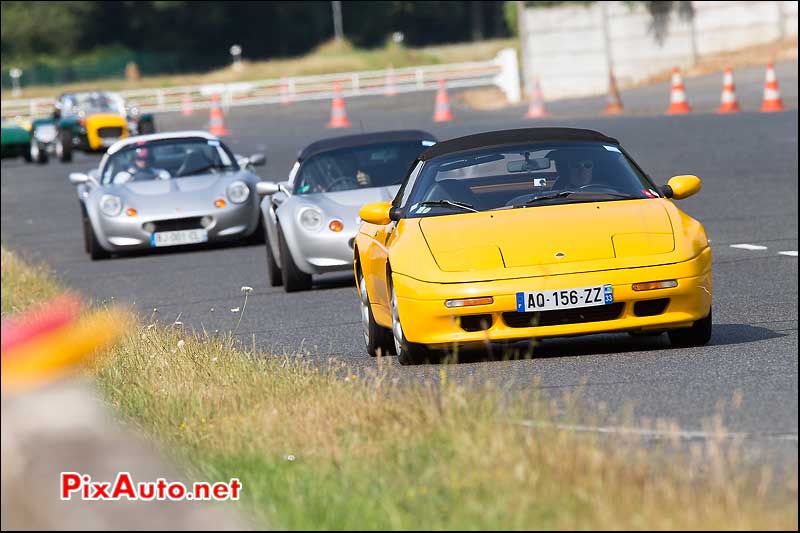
pixel 124 233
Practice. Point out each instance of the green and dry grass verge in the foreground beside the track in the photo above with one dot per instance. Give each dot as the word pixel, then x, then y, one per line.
pixel 325 449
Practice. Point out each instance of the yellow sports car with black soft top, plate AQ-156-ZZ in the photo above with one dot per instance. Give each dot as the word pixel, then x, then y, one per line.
pixel 532 233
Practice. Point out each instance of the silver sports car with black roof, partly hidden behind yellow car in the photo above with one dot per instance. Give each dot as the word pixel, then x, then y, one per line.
pixel 311 219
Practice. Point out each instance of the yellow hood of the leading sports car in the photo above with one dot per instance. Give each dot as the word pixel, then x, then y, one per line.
pixel 549 235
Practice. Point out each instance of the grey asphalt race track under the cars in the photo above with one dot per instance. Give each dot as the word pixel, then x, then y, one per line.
pixel 748 163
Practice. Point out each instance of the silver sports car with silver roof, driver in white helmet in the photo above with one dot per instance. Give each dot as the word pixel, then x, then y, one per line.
pixel 168 189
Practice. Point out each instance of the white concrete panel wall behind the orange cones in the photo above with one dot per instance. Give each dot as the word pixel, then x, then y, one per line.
pixel 571 48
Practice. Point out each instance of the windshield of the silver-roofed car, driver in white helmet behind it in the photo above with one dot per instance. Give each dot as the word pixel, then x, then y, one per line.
pixel 166 159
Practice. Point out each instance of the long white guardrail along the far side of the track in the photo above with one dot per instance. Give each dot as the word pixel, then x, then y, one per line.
pixel 502 71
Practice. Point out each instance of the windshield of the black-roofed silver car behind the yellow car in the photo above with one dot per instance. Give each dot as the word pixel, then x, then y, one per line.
pixel 376 165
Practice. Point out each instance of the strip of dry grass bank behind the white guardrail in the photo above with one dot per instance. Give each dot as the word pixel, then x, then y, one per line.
pixel 331 57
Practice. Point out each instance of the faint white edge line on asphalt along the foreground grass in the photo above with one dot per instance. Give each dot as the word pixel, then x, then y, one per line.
pixel 655 433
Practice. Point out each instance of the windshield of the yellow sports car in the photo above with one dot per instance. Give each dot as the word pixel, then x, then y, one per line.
pixel 525 176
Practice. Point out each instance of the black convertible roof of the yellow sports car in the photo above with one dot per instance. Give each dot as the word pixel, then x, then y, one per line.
pixel 509 137
